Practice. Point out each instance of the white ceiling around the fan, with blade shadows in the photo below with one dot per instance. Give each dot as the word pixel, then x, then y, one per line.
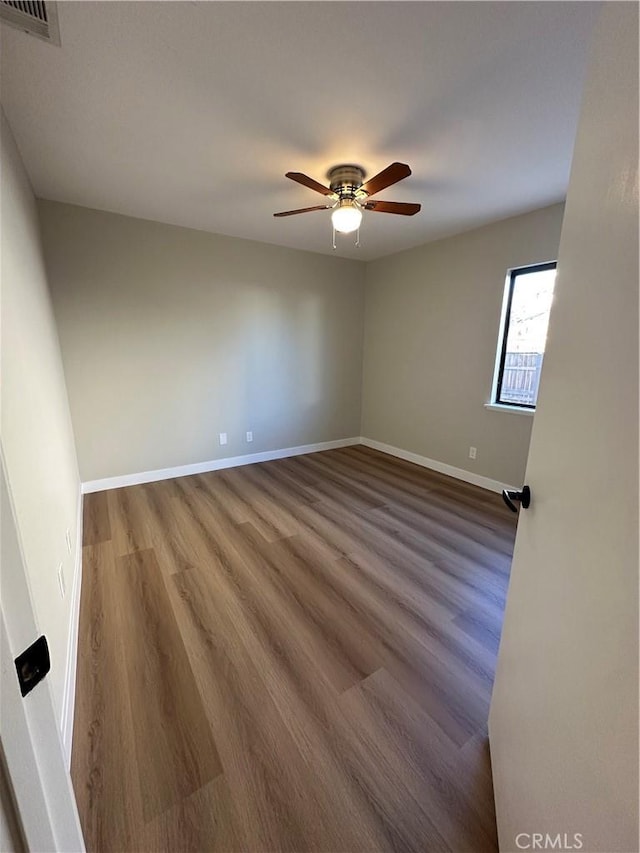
pixel 191 113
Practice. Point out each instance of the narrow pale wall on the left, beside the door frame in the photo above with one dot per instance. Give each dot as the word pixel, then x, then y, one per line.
pixel 37 438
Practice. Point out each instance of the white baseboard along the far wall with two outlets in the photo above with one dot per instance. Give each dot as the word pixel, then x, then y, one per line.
pixel 212 465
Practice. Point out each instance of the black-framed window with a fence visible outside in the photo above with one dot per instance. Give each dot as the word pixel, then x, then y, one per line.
pixel 526 307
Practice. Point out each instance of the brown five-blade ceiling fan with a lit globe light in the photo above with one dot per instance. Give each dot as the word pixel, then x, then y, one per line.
pixel 350 195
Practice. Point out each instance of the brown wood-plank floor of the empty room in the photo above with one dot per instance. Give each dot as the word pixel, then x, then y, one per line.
pixel 296 655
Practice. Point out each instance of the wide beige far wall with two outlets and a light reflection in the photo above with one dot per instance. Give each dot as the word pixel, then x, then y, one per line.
pixel 170 336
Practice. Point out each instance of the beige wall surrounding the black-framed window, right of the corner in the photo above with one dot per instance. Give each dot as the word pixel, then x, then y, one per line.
pixel 432 320
